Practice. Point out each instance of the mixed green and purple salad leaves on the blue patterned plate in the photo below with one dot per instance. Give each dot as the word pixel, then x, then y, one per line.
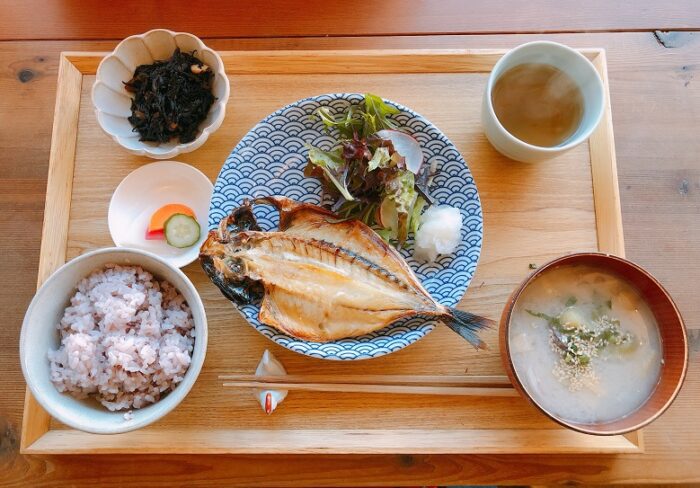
pixel 364 170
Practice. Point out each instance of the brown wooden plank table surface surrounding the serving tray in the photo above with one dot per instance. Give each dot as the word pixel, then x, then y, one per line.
pixel 653 57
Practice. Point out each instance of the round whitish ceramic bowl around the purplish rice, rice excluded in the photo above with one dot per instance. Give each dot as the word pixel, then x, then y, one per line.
pixel 39 334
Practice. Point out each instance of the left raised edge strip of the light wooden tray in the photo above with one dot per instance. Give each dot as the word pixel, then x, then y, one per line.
pixel 56 215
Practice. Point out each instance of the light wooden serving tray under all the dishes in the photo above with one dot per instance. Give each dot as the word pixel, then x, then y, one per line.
pixel 532 213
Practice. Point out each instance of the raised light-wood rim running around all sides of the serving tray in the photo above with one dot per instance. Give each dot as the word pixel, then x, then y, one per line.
pixel 37 438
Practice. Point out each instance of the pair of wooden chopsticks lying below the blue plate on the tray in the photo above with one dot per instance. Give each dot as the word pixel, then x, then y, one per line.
pixel 394 384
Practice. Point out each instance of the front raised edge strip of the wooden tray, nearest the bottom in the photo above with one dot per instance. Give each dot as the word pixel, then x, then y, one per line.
pixel 342 441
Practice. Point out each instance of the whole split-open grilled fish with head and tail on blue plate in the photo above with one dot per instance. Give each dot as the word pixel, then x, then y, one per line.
pixel 320 278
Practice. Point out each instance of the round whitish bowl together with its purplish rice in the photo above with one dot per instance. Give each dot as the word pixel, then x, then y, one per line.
pixel 41 341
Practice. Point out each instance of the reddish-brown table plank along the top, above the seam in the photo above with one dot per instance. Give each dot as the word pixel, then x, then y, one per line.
pixel 92 19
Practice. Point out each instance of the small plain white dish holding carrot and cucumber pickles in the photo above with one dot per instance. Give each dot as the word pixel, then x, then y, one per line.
pixel 144 191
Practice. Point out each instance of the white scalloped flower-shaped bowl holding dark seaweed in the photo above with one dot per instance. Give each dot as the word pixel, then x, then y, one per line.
pixel 113 103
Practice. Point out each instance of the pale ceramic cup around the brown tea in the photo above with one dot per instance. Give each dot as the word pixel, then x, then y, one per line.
pixel 570 61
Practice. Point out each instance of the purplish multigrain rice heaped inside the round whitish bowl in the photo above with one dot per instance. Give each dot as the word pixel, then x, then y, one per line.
pixel 126 339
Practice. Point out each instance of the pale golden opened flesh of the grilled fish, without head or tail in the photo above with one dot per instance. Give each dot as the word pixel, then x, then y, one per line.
pixel 318 291
